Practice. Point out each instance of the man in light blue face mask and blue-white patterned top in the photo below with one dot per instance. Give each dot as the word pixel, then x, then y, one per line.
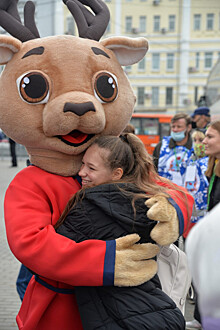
pixel 172 154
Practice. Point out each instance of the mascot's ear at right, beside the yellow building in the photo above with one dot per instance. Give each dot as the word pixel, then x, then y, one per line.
pixel 127 50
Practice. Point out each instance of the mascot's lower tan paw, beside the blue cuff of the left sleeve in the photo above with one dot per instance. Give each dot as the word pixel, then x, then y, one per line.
pixel 131 265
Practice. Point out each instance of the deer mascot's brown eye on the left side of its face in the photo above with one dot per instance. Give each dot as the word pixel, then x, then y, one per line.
pixel 33 87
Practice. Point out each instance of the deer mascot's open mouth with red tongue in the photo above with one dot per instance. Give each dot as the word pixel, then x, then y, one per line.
pixel 75 138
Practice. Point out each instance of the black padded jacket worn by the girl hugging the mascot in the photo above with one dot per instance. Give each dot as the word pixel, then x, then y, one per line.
pixel 106 213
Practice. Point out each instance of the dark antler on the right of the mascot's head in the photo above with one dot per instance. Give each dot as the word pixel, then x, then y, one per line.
pixel 90 26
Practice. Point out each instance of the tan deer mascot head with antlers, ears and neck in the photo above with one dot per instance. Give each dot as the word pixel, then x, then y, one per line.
pixel 59 93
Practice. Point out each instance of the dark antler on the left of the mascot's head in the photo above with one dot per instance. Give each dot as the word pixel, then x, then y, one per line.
pixel 11 22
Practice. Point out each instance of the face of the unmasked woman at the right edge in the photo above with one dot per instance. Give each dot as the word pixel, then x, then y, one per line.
pixel 212 142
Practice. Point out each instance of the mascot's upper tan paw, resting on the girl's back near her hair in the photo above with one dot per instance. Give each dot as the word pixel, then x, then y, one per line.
pixel 166 230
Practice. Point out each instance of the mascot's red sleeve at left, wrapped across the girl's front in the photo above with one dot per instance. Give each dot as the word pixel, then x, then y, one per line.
pixel 33 203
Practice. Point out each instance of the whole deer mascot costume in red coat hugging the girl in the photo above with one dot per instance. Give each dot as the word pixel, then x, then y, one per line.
pixel 57 95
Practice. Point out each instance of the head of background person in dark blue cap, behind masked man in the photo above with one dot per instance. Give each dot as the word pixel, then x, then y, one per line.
pixel 201 118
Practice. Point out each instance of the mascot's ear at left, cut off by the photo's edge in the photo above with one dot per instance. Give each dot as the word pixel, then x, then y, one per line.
pixel 8 47
